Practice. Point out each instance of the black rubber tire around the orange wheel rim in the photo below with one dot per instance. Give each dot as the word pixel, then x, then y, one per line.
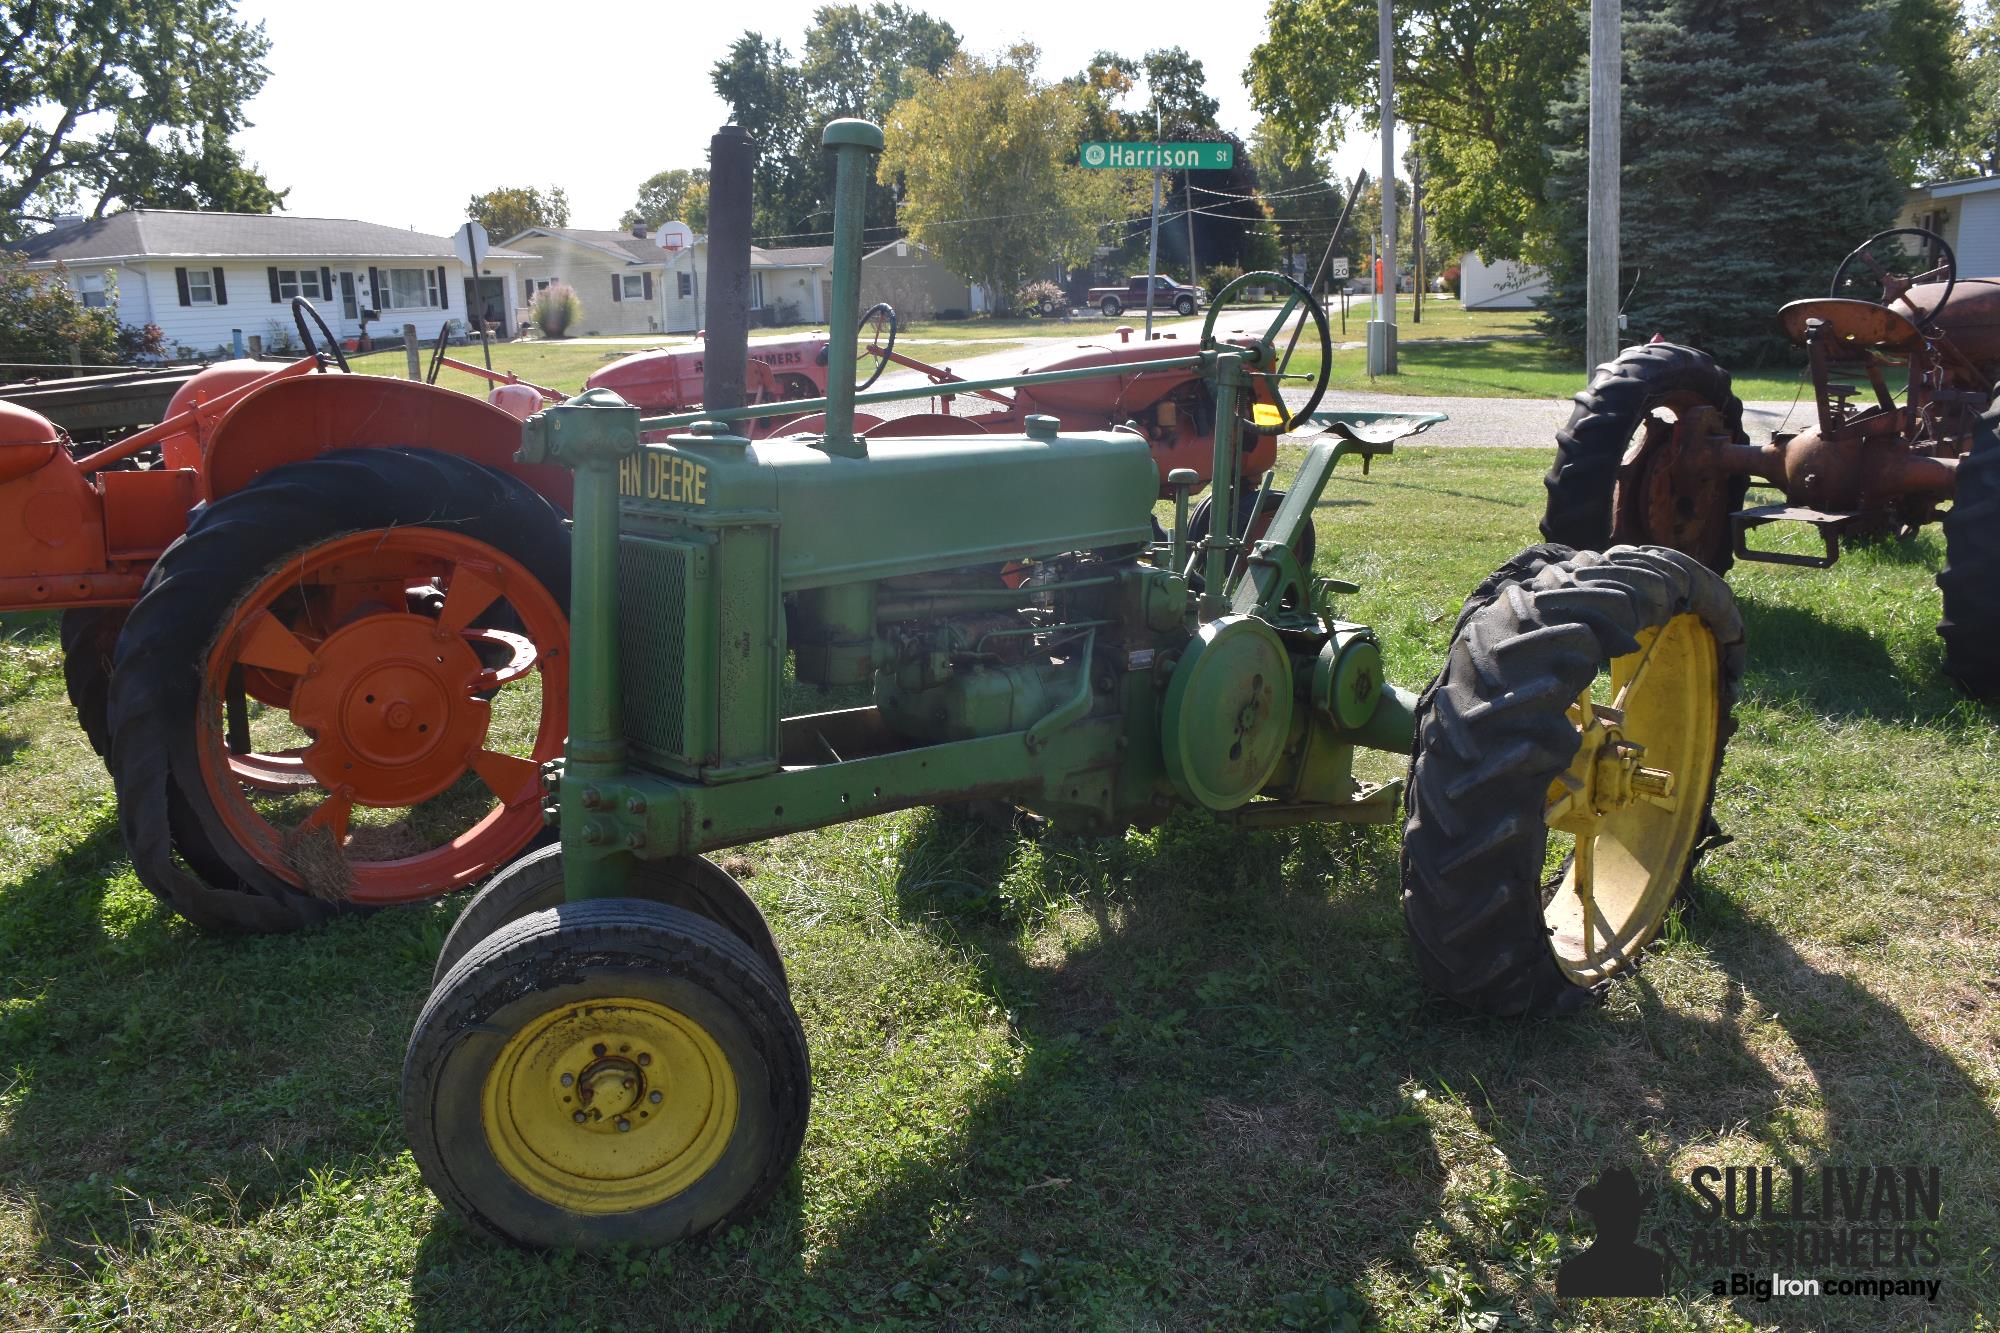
pixel 177 840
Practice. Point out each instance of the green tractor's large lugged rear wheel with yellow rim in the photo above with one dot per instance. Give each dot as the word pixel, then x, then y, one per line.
pixel 1585 696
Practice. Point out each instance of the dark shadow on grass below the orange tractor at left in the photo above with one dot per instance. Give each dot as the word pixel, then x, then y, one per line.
pixel 169 1080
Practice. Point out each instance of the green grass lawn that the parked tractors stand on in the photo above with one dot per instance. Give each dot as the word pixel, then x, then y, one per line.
pixel 1175 1080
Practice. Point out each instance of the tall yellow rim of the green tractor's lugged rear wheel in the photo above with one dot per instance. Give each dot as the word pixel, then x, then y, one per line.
pixel 1635 798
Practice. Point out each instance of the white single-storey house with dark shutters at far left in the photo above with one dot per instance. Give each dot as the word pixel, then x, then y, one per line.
pixel 209 279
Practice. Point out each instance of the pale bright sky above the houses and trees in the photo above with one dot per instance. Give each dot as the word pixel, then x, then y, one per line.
pixel 401 111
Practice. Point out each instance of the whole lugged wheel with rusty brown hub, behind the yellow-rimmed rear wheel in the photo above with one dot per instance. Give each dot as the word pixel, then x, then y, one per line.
pixel 1621 471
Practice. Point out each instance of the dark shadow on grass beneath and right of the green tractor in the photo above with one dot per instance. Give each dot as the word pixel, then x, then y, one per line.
pixel 1231 1088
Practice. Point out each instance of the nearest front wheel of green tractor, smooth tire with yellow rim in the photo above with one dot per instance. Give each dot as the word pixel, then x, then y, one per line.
pixel 607 1074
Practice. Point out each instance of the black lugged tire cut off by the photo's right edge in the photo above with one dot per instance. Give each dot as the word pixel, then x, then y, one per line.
pixel 1971 575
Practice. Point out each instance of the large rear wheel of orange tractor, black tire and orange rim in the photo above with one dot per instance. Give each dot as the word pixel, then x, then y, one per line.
pixel 337 688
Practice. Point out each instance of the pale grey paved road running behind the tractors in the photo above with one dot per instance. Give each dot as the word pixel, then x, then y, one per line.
pixel 1507 423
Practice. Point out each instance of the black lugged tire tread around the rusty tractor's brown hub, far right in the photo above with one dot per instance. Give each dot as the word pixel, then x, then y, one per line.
pixel 1609 413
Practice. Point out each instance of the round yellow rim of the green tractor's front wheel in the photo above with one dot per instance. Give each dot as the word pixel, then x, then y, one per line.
pixel 609 1106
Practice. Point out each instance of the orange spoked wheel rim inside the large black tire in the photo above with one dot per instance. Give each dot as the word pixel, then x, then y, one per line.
pixel 393 744
